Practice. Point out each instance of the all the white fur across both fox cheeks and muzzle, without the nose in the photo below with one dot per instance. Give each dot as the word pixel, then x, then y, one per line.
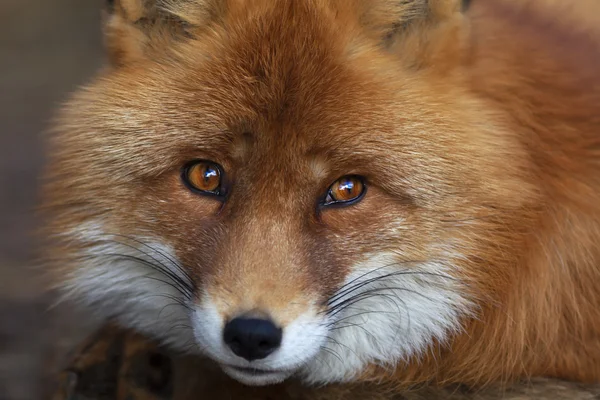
pixel 390 315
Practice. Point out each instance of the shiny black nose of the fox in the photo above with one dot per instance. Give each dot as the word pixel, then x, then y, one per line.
pixel 252 338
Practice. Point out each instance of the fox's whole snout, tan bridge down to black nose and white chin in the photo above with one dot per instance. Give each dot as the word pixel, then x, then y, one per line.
pixel 259 312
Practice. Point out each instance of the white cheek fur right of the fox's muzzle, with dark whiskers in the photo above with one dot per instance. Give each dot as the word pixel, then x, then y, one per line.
pixel 395 316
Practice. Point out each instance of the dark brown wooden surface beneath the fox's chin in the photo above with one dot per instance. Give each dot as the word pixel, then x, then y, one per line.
pixel 116 364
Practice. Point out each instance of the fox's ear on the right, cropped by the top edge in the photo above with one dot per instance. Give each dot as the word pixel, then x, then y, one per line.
pixel 422 32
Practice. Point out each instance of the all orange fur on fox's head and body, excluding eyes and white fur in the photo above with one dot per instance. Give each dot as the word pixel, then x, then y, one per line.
pixel 481 127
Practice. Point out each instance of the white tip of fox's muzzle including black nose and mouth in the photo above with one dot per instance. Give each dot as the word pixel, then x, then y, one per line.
pixel 259 348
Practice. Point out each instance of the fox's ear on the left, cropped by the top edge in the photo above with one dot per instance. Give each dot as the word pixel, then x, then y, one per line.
pixel 135 29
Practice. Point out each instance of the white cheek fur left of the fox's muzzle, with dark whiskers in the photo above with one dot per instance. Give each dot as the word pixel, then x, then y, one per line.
pixel 114 284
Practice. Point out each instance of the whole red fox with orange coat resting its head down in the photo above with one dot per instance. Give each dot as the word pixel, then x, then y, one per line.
pixel 404 191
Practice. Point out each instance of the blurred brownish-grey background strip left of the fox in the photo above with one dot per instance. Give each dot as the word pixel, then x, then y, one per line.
pixel 48 48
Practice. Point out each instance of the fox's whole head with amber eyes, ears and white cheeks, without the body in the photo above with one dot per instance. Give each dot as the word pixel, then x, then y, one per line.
pixel 290 188
